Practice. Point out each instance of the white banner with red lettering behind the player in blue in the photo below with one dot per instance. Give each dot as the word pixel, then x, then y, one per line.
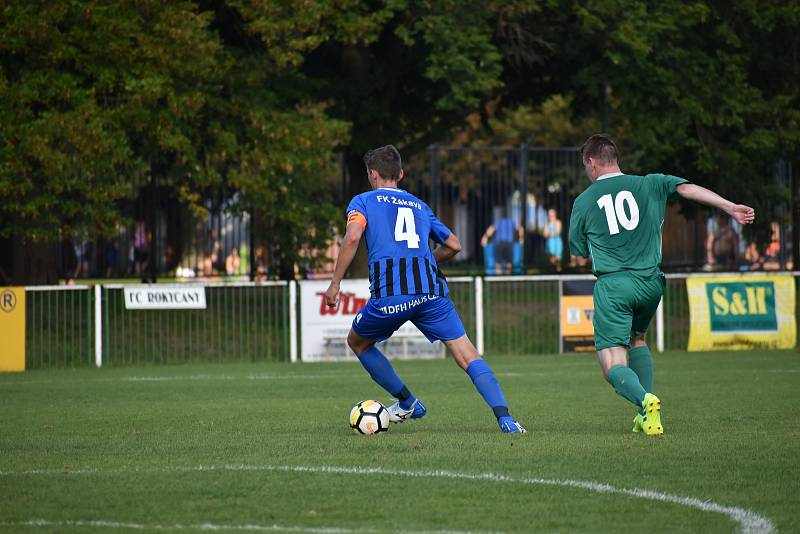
pixel 324 330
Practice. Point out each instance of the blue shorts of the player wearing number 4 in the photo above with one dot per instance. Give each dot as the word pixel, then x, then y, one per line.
pixel 436 317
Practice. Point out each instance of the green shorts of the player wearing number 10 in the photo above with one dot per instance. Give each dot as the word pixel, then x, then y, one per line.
pixel 624 303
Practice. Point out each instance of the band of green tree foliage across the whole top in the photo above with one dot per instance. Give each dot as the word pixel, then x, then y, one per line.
pixel 98 98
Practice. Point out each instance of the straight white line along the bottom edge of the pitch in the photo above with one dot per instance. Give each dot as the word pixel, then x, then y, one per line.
pixel 104 524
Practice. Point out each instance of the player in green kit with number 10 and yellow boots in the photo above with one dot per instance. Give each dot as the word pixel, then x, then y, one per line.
pixel 617 222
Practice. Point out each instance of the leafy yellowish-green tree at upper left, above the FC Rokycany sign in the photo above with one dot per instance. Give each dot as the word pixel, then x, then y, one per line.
pixel 100 98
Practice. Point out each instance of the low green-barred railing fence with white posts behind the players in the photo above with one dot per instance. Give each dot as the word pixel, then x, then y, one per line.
pixel 516 315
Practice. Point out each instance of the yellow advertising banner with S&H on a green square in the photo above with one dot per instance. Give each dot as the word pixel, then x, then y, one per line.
pixel 741 312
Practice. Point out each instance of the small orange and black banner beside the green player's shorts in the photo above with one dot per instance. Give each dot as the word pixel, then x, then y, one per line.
pixel 577 312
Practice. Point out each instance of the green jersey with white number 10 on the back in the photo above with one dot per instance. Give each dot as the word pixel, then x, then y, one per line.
pixel 617 221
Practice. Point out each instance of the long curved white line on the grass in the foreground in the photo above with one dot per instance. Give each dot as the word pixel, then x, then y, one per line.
pixel 749 522
